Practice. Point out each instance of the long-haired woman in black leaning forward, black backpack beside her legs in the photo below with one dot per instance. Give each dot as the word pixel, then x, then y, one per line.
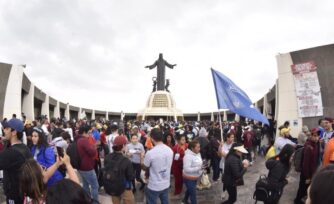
pixel 279 167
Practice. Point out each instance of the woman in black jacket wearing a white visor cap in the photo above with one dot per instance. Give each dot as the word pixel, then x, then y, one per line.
pixel 234 170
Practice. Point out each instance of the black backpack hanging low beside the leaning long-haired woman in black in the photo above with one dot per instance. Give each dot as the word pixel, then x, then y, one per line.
pixel 262 190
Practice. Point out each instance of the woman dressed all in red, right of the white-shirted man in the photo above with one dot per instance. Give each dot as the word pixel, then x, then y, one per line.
pixel 177 166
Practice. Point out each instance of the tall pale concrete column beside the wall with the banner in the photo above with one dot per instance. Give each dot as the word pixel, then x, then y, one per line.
pixel 287 101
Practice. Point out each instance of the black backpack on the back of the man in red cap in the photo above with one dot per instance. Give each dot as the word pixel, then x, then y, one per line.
pixel 114 180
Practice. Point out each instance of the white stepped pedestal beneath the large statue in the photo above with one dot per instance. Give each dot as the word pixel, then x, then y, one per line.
pixel 160 104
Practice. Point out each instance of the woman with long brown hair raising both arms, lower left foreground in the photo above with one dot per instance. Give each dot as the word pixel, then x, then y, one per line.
pixel 33 178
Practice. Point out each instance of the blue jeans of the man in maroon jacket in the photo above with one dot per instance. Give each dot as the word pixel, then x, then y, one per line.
pixel 89 179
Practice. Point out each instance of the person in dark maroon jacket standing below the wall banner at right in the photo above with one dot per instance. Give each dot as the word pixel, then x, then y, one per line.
pixel 310 163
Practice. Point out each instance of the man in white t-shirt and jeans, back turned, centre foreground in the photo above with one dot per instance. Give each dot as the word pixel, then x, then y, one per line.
pixel 159 162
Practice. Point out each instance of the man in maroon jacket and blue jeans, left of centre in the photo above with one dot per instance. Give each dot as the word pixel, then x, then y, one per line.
pixel 87 153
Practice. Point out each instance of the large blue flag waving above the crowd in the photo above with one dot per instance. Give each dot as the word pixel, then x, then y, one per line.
pixel 230 96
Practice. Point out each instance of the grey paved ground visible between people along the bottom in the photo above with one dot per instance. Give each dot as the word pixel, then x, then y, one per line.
pixel 211 196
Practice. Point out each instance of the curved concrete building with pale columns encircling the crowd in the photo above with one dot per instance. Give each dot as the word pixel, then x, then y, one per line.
pixel 299 97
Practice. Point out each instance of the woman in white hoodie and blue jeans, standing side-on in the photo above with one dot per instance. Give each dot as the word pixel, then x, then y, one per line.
pixel 192 170
